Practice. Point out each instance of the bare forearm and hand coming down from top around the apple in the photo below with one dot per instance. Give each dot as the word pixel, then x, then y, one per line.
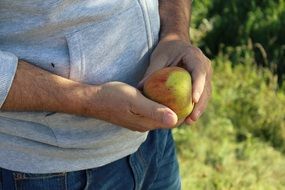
pixel 175 49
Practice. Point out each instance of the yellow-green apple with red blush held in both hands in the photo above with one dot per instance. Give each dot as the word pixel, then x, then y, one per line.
pixel 171 86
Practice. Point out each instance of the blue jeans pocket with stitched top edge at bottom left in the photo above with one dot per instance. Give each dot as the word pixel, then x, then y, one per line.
pixel 54 181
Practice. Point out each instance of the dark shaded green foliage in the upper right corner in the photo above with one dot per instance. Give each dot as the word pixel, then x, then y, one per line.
pixel 227 25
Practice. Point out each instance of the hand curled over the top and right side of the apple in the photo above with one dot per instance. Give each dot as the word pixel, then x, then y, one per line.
pixel 183 54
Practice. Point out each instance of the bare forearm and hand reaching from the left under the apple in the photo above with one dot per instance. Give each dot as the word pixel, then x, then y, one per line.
pixel 34 89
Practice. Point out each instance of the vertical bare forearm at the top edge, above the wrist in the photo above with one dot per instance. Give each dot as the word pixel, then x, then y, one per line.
pixel 175 19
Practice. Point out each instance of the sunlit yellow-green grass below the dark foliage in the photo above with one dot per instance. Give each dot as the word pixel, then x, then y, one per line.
pixel 239 143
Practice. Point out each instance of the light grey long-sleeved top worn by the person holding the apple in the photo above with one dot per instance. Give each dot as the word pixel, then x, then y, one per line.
pixel 88 41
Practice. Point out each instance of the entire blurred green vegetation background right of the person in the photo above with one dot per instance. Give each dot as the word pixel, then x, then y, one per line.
pixel 239 143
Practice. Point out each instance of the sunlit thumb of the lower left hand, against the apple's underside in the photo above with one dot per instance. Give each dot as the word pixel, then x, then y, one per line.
pixel 157 112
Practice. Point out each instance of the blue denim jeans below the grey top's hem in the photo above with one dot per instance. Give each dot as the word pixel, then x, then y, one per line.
pixel 152 166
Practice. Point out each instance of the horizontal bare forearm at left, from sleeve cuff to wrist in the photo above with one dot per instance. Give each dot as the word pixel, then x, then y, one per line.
pixel 34 89
